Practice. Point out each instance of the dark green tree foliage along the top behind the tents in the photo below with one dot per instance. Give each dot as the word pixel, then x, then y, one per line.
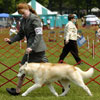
pixel 69 6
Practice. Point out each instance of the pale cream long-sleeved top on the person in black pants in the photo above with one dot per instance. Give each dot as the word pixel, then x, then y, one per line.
pixel 70 31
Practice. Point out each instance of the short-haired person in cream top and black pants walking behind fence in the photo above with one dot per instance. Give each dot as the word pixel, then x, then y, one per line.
pixel 70 40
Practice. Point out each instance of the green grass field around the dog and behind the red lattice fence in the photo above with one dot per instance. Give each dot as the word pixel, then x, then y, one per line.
pixel 10 55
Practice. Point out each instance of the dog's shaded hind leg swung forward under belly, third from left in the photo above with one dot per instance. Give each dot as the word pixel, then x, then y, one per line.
pixel 66 85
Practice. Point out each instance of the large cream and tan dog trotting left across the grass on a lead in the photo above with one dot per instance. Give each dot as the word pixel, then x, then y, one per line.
pixel 47 73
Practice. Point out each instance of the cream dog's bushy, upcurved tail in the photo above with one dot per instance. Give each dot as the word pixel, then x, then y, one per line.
pixel 86 74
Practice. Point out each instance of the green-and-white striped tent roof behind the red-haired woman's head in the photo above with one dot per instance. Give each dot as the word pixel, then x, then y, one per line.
pixel 41 10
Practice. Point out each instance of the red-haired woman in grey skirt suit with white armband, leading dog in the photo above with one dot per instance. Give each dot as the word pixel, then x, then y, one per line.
pixel 31 28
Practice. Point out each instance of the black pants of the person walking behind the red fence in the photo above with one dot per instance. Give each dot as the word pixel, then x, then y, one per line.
pixel 70 47
